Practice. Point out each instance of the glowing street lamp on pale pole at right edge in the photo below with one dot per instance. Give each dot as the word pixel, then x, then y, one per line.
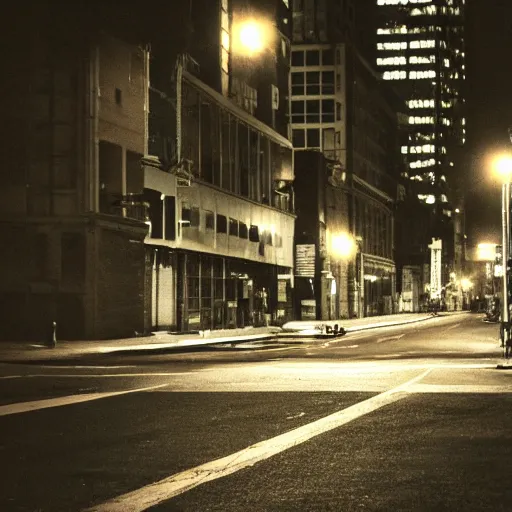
pixel 503 167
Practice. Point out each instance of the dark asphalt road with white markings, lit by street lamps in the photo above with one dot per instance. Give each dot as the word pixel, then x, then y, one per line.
pixel 404 418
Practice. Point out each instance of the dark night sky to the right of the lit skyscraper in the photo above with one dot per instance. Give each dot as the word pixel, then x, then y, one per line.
pixel 489 105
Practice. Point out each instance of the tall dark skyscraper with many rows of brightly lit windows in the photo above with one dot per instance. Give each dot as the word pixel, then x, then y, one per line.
pixel 420 49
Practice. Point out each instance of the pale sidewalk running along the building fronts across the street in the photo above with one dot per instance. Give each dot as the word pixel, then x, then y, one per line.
pixel 163 341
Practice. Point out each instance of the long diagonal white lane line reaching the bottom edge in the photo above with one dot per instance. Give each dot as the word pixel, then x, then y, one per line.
pixel 158 492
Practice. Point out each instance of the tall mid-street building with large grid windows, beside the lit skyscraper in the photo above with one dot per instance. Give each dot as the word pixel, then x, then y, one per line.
pixel 342 108
